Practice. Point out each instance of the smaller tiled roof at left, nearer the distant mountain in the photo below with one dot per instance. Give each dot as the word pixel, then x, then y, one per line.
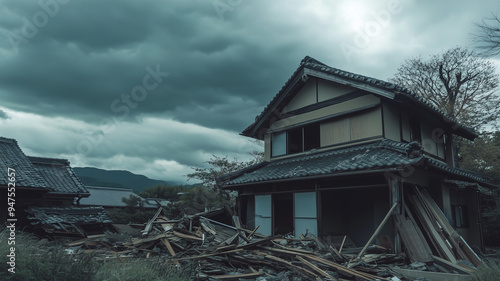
pixel 59 174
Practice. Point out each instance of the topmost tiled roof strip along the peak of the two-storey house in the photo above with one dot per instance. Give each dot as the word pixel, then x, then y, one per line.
pixel 313 64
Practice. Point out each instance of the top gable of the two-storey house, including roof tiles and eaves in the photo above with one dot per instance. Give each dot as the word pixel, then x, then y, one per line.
pixel 311 85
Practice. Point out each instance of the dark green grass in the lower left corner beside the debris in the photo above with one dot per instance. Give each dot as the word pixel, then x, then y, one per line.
pixel 40 260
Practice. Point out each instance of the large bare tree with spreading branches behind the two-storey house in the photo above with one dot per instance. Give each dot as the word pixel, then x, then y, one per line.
pixel 458 82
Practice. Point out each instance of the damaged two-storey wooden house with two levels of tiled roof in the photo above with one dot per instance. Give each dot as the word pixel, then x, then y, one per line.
pixel 341 149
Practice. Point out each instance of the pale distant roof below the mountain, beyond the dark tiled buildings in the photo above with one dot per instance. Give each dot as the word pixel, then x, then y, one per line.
pixel 106 196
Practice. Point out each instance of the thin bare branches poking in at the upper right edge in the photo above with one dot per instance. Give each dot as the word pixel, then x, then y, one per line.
pixel 487 36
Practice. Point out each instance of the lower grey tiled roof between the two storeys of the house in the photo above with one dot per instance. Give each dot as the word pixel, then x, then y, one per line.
pixel 378 155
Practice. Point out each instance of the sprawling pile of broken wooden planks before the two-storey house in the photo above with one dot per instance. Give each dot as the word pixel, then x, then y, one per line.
pixel 226 251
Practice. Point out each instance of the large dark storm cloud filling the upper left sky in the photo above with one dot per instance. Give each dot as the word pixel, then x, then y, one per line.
pixel 90 53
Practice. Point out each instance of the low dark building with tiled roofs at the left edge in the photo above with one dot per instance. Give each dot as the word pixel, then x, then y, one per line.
pixel 37 181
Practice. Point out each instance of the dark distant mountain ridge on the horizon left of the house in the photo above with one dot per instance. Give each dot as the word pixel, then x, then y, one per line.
pixel 120 179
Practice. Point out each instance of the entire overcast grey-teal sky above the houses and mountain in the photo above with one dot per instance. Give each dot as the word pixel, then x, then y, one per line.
pixel 156 87
